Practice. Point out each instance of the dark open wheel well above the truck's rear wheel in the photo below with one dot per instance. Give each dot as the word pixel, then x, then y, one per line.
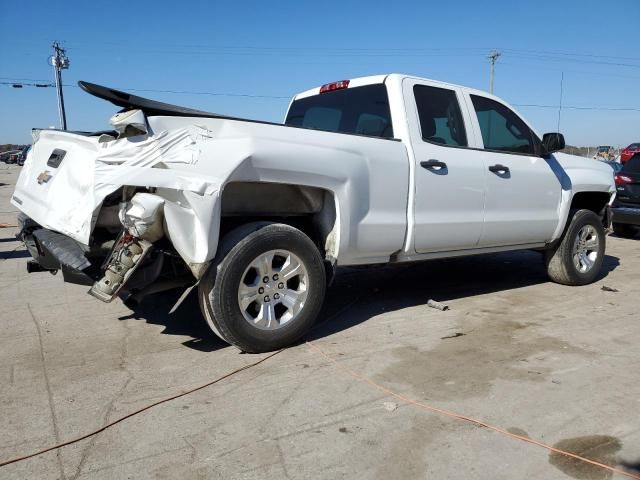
pixel 309 209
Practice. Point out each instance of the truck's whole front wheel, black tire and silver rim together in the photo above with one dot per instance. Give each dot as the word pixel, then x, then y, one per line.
pixel 578 258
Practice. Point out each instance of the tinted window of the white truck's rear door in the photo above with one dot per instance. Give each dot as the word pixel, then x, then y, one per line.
pixel 440 116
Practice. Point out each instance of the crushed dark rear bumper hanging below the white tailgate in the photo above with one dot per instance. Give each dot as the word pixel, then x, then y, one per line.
pixel 54 251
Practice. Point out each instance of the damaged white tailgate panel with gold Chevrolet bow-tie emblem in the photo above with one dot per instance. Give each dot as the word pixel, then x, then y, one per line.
pixel 55 186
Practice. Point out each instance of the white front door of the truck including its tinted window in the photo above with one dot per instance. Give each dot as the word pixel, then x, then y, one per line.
pixel 523 192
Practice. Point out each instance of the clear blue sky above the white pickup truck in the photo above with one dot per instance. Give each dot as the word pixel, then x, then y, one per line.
pixel 275 49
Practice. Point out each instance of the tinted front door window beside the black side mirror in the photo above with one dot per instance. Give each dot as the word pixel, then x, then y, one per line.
pixel 502 130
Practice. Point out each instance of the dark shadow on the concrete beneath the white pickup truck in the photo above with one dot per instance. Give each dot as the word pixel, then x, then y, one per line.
pixel 358 294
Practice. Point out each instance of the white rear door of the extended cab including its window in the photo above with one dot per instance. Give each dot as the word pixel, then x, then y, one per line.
pixel 449 178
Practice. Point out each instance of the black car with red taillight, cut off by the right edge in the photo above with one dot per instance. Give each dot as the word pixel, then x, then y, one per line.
pixel 626 206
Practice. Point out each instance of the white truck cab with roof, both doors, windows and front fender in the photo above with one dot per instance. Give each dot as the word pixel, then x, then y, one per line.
pixel 480 177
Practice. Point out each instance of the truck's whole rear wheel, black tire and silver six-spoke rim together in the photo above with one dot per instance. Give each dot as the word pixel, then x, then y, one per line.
pixel 267 287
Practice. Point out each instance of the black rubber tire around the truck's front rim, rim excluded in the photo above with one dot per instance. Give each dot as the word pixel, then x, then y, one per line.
pixel 560 261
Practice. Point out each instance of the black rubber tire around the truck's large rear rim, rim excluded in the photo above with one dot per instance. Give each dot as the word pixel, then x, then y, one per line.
pixel 218 289
